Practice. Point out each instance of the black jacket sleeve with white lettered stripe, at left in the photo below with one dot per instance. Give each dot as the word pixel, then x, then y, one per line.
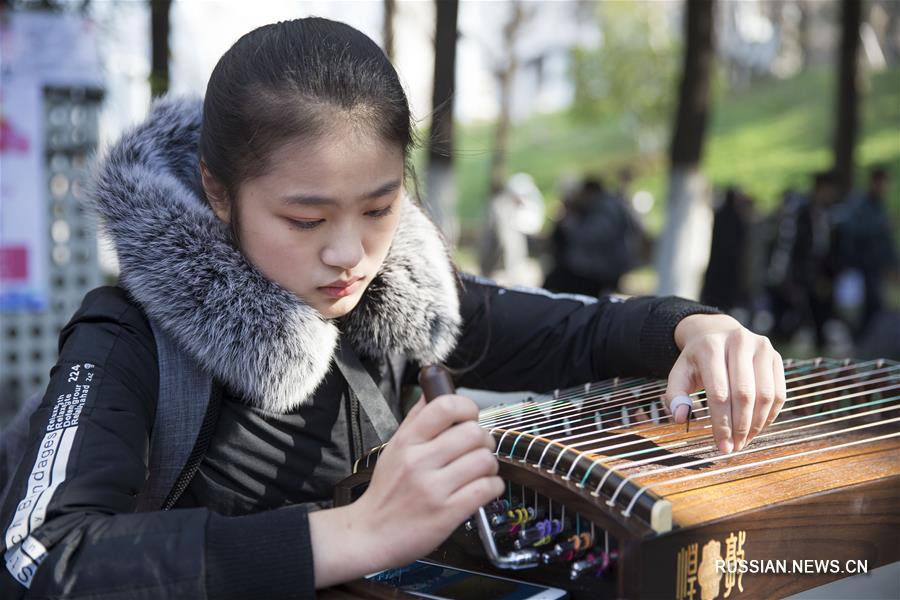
pixel 68 521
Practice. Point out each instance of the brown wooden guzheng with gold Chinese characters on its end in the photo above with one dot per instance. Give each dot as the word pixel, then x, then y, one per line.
pixel 816 492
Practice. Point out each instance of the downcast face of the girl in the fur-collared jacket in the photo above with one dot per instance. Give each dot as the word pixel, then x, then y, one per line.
pixel 322 217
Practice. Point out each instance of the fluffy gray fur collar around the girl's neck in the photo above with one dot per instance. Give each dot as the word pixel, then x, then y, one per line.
pixel 259 339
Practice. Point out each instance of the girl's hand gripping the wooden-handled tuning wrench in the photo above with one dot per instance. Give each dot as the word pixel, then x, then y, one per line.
pixel 436 471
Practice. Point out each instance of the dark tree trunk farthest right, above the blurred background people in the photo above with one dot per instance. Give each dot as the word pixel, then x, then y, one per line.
pixel 847 117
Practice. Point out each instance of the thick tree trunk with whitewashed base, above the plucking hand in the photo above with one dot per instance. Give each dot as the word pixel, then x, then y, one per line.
pixel 683 250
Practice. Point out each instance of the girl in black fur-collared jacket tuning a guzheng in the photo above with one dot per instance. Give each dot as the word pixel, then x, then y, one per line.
pixel 257 235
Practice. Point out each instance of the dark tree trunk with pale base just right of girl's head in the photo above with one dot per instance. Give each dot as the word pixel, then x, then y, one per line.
pixel 441 196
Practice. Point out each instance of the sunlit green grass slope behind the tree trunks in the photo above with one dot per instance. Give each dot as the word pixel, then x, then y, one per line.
pixel 765 139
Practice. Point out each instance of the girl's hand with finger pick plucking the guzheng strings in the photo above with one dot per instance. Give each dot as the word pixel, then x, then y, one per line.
pixel 741 372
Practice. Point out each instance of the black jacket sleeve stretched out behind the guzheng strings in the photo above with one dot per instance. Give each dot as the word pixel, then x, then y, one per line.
pixel 530 339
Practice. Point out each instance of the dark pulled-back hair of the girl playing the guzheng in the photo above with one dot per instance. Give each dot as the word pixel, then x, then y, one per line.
pixel 292 79
